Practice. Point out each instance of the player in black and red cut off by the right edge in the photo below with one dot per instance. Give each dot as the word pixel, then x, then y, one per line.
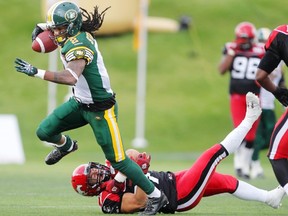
pixel 277 50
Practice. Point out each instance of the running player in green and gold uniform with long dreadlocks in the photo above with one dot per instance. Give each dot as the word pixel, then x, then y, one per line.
pixel 93 101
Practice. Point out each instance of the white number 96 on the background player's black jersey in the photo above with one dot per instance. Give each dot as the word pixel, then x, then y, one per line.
pixel 244 68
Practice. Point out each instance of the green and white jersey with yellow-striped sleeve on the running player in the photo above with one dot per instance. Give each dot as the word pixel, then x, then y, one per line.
pixel 94 83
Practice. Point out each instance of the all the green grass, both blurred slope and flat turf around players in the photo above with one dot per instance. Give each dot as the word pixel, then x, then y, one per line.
pixel 187 107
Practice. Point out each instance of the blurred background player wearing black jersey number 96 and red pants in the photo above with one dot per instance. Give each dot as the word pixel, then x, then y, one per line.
pixel 241 58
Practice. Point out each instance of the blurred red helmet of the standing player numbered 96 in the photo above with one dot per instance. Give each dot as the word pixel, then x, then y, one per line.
pixel 245 33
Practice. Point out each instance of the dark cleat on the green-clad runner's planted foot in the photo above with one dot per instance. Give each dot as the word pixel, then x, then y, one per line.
pixel 154 204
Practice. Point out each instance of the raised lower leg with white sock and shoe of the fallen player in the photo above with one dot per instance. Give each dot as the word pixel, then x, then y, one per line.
pixel 233 140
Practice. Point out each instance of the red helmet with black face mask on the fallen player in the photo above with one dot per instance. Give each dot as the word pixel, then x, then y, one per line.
pixel 84 184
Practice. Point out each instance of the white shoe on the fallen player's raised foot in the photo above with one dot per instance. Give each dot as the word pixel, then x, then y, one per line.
pixel 253 110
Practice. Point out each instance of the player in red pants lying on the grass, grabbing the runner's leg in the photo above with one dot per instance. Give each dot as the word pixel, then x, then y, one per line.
pixel 185 188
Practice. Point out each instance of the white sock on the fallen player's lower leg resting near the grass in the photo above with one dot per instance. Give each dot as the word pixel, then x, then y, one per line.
pixel 246 191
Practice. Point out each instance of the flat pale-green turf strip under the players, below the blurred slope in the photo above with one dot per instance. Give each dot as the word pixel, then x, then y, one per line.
pixel 37 189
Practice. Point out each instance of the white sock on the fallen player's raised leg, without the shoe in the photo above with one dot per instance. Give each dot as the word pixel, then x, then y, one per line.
pixel 234 139
